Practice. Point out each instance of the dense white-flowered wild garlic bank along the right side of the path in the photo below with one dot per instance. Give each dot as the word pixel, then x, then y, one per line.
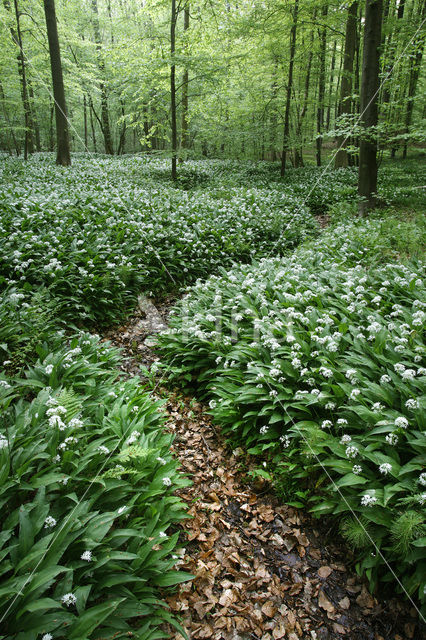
pixel 317 362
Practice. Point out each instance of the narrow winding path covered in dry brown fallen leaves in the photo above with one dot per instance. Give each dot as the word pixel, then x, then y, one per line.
pixel 263 570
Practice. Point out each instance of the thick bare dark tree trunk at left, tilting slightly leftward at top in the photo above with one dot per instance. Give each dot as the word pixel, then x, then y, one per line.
pixel 62 138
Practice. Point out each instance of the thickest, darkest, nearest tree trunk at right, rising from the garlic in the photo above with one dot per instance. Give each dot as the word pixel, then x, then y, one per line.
pixel 367 177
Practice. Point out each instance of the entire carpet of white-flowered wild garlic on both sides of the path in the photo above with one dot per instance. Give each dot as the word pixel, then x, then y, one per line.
pixel 79 443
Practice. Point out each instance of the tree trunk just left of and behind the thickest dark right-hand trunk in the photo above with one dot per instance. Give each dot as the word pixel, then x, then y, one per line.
pixel 341 159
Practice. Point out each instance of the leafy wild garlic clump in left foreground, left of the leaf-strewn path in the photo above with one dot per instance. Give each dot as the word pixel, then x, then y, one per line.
pixel 87 537
